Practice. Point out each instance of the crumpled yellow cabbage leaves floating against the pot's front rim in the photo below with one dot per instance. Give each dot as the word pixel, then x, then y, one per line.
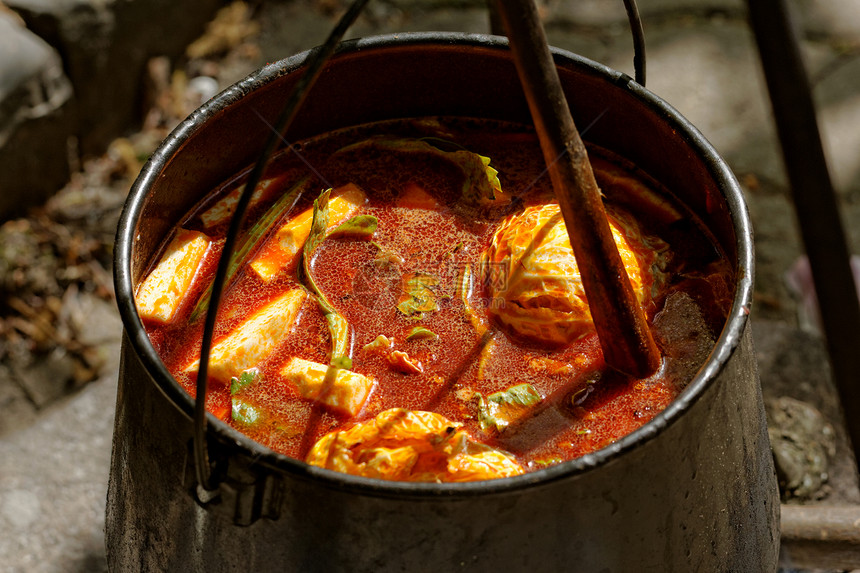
pixel 407 445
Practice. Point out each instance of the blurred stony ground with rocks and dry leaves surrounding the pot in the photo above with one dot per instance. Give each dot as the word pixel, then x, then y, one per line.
pixel 88 89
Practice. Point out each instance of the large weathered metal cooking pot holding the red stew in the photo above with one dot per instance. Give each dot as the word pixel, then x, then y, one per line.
pixel 692 490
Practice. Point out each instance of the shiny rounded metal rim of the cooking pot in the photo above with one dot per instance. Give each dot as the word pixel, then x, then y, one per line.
pixel 725 346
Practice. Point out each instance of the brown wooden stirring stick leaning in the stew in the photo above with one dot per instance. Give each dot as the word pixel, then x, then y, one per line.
pixel 627 343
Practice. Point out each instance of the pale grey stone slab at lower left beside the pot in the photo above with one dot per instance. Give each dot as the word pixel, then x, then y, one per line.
pixel 53 479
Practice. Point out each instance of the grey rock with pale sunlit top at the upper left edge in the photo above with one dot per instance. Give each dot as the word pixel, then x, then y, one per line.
pixel 35 119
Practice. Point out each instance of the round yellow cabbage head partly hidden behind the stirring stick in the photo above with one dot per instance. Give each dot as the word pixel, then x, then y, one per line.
pixel 537 279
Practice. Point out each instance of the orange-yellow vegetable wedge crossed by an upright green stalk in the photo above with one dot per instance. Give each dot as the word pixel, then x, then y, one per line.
pixel 283 249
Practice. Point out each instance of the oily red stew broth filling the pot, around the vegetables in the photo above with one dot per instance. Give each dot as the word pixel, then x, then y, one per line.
pixel 585 406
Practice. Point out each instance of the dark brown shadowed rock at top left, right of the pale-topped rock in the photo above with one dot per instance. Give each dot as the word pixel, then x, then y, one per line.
pixel 105 46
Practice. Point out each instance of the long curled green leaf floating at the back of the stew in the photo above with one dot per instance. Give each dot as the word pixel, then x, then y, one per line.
pixel 481 186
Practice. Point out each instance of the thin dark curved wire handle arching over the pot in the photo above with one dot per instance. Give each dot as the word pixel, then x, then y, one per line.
pixel 203 466
